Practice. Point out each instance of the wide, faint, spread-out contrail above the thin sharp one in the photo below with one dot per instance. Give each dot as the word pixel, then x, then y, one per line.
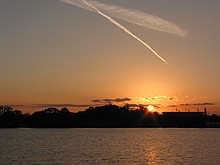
pixel 131 15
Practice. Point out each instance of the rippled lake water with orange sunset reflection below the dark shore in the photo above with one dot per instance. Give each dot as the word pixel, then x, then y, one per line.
pixel 110 146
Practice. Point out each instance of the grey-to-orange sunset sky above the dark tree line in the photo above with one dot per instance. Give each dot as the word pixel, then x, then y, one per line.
pixel 55 54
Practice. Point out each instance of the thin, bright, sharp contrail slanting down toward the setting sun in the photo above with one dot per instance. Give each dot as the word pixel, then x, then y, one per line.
pixel 125 30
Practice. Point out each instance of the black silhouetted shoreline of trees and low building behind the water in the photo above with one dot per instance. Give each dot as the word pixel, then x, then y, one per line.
pixel 107 116
